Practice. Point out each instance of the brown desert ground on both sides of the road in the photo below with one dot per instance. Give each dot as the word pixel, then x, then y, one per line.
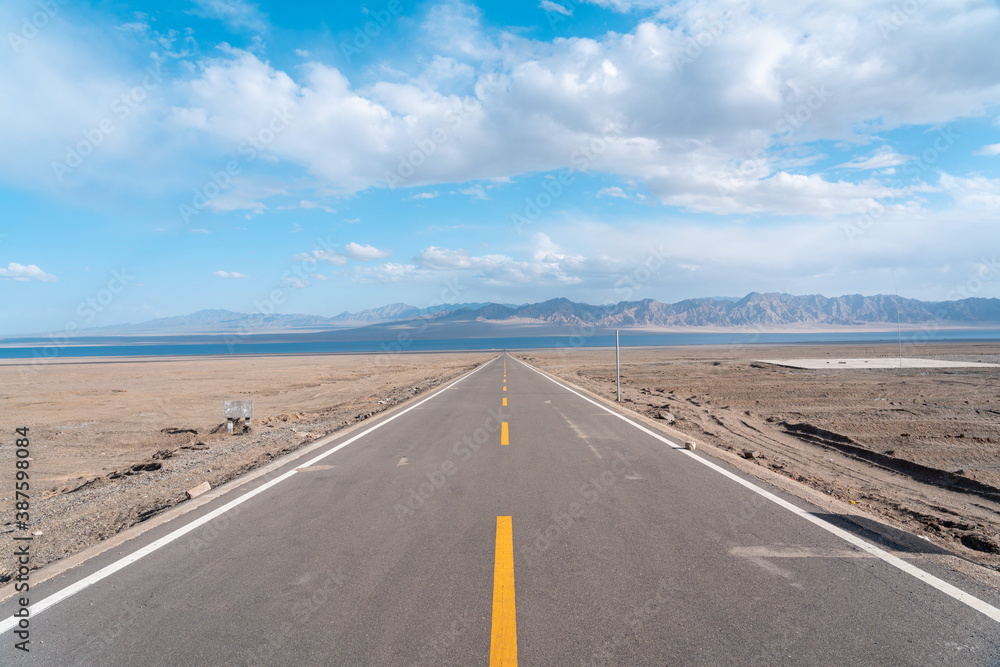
pixel 117 441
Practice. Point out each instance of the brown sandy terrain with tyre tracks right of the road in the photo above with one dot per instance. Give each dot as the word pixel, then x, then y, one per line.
pixel 919 448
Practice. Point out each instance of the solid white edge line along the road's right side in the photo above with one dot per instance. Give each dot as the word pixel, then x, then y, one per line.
pixel 929 579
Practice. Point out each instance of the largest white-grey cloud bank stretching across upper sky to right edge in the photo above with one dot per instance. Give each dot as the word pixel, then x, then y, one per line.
pixel 623 103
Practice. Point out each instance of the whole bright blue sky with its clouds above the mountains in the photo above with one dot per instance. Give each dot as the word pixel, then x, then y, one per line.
pixel 161 158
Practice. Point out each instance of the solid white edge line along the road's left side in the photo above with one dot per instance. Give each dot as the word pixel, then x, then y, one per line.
pixel 37 608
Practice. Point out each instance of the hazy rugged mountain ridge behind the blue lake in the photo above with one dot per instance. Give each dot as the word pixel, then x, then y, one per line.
pixel 755 309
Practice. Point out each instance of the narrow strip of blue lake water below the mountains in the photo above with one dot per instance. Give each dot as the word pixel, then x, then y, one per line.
pixel 41 348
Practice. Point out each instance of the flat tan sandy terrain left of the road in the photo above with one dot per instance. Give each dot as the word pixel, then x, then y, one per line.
pixel 117 441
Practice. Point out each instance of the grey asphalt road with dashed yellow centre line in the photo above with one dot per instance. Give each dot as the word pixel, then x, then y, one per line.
pixel 584 541
